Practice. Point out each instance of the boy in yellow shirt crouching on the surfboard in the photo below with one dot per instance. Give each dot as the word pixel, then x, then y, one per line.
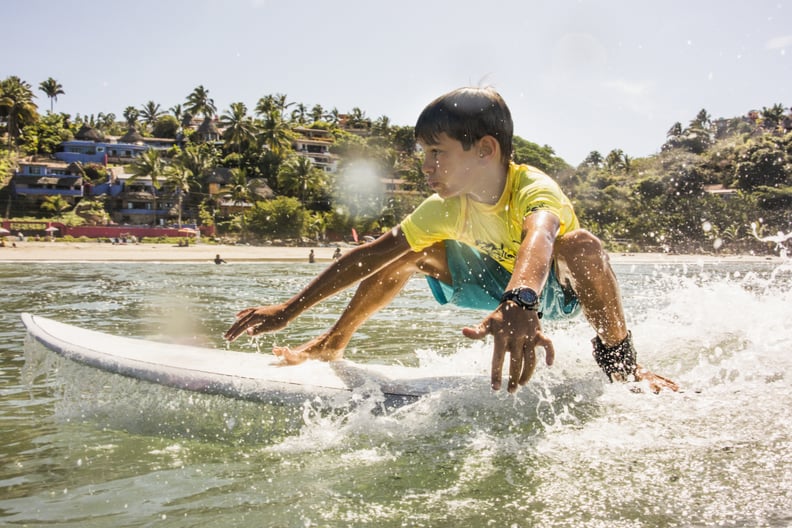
pixel 495 235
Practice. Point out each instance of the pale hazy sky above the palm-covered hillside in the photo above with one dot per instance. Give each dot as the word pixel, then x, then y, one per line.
pixel 577 75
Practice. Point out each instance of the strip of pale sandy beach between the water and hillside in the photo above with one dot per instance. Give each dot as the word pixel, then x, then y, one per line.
pixel 38 251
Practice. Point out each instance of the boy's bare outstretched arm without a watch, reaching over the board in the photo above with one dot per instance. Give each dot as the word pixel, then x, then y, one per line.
pixel 348 269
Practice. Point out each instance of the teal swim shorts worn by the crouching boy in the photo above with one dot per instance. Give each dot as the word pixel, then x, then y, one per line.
pixel 479 281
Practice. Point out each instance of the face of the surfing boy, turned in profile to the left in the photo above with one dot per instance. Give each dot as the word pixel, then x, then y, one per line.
pixel 451 170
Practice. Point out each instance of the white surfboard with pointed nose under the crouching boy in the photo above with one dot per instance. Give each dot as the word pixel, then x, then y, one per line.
pixel 241 375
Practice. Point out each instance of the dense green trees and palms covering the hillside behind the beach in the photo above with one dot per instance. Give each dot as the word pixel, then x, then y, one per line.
pixel 659 202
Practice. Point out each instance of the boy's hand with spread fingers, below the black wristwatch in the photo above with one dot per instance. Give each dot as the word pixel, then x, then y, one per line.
pixel 518 332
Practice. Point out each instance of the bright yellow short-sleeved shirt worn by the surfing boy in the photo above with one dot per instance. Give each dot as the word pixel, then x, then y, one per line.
pixel 495 230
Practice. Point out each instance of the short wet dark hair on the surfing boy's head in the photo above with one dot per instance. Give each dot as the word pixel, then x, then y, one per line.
pixel 467 115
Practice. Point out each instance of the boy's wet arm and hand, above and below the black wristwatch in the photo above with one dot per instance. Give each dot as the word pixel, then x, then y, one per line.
pixel 516 330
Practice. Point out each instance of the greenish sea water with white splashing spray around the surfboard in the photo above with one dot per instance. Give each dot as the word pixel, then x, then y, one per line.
pixel 79 447
